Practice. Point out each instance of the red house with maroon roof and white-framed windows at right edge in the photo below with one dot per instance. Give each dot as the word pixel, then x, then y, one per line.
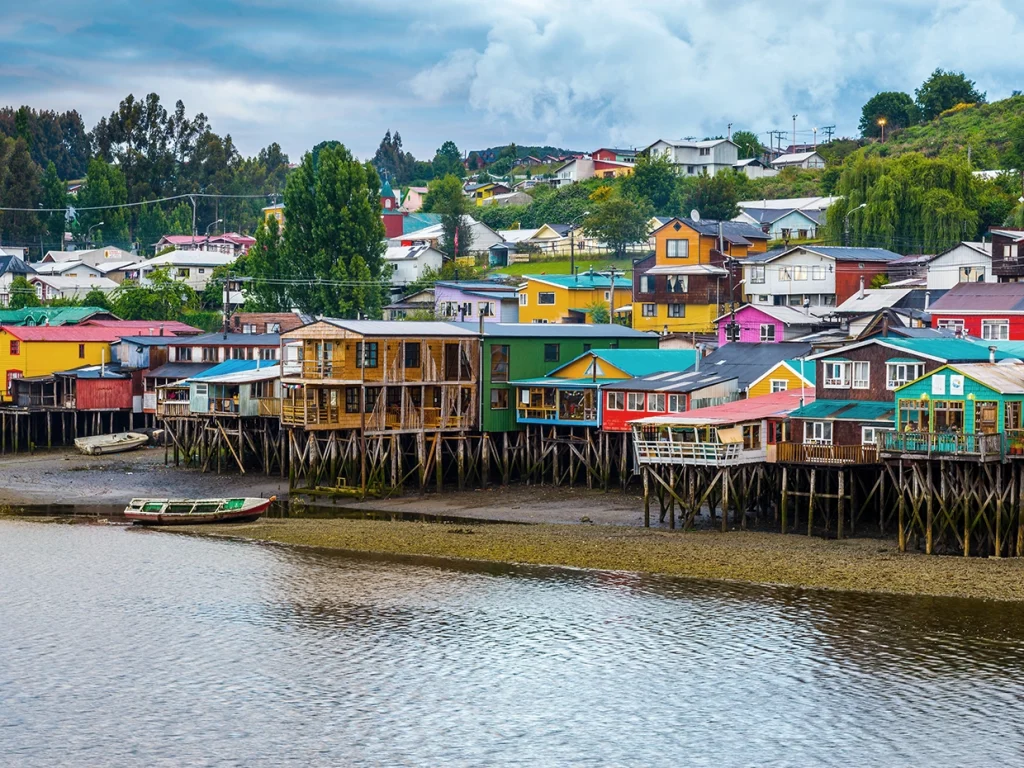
pixel 992 312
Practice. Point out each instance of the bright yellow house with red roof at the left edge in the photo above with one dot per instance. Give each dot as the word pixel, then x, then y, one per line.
pixel 41 351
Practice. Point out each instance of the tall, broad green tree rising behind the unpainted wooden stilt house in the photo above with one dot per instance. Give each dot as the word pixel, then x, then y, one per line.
pixel 333 217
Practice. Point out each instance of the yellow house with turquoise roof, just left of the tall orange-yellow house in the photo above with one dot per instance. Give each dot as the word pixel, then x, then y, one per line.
pixel 567 298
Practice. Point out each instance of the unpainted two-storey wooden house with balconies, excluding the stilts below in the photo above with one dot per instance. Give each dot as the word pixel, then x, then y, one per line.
pixel 378 376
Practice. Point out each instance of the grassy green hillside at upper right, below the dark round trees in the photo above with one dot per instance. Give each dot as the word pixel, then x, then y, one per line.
pixel 986 129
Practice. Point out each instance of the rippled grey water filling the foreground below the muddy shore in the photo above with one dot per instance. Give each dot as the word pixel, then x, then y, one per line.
pixel 122 647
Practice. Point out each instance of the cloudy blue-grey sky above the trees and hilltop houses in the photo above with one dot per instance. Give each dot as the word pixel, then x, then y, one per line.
pixel 579 74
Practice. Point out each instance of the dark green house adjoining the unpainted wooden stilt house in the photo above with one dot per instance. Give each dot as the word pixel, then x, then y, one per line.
pixel 514 352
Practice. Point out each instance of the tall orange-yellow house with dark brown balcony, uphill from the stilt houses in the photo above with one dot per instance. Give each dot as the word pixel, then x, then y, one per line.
pixel 685 284
